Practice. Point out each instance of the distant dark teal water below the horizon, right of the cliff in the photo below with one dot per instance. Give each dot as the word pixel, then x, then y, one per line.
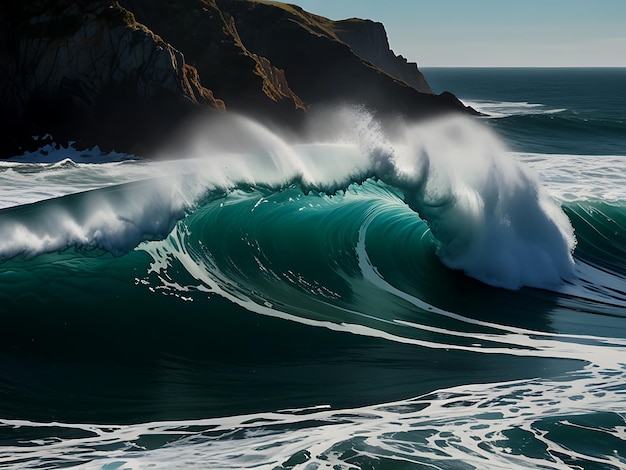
pixel 576 111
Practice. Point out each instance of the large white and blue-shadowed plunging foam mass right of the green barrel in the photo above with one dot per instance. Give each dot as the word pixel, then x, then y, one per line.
pixel 490 215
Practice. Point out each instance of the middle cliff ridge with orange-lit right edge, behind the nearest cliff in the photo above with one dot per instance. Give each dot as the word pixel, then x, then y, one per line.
pixel 211 43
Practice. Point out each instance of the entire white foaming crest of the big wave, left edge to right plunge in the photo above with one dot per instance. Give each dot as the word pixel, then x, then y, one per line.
pixel 489 216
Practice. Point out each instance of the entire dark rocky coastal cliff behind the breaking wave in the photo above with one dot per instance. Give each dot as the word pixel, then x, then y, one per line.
pixel 127 74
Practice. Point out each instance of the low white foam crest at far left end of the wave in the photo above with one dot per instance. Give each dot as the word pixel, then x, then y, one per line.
pixel 115 221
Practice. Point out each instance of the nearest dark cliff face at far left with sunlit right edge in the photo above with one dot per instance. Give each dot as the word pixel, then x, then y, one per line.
pixel 88 72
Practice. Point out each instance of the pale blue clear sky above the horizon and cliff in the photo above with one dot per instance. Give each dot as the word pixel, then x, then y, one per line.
pixel 494 33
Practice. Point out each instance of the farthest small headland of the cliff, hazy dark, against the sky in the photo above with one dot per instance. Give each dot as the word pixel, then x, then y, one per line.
pixel 368 39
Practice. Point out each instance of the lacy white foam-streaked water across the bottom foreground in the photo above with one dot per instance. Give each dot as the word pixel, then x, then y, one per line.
pixel 473 426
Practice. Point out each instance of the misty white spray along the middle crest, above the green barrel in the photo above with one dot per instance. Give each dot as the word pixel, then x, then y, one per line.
pixel 235 150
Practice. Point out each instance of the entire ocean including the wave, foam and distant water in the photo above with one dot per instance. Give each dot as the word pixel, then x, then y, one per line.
pixel 447 294
